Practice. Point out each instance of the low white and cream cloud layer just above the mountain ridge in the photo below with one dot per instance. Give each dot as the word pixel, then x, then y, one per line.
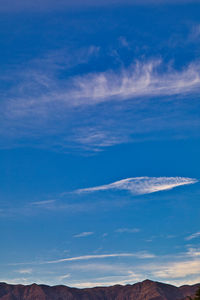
pixel 124 268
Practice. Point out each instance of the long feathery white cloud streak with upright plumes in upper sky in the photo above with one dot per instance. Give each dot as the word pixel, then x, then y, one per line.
pixel 142 79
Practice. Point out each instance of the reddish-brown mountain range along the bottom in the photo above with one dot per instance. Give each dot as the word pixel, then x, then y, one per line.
pixel 146 290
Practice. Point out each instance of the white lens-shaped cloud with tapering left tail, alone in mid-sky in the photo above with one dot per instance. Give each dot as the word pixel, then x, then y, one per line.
pixel 142 185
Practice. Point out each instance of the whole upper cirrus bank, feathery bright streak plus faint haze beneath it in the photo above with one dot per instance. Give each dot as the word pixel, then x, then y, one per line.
pixel 85 111
